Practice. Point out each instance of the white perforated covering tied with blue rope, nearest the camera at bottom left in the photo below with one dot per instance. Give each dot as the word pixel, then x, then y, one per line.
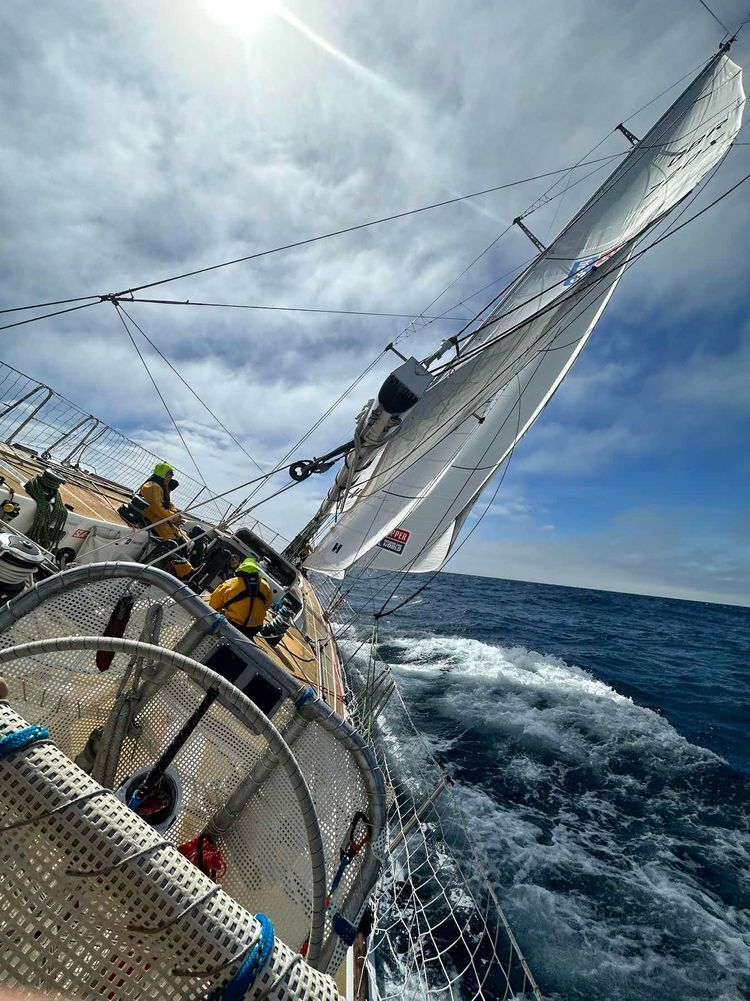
pixel 144 924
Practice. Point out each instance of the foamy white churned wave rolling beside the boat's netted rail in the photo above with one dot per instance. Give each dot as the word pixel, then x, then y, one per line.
pixel 621 849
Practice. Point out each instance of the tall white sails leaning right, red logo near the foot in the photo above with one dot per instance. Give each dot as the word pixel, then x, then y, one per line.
pixel 466 425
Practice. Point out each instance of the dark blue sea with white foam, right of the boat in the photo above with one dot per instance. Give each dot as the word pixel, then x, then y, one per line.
pixel 600 745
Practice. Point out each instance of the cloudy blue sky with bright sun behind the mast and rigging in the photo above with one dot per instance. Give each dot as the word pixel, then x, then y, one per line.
pixel 145 140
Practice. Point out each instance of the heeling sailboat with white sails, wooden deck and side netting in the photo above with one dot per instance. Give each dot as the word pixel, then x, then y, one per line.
pixel 188 812
